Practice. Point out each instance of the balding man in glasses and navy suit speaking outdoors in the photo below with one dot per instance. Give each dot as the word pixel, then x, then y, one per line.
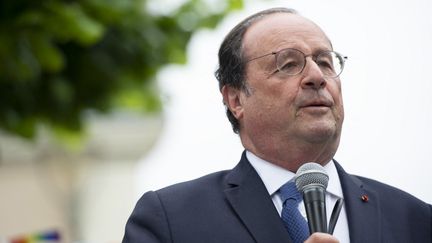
pixel 279 78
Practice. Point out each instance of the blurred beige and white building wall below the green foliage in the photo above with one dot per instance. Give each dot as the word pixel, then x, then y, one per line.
pixel 86 194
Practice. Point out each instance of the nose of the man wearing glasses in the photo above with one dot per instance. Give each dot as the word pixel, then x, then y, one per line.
pixel 313 77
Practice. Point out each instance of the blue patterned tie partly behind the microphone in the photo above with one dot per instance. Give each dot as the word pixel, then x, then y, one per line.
pixel 295 224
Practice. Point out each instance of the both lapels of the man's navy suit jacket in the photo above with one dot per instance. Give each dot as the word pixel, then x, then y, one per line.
pixel 249 198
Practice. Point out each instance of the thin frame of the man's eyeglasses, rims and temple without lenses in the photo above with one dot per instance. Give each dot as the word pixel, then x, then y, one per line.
pixel 314 58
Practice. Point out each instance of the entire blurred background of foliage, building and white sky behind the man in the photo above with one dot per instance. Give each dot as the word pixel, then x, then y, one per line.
pixel 102 100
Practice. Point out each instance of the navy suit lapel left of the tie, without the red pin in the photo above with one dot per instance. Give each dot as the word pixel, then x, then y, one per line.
pixel 250 200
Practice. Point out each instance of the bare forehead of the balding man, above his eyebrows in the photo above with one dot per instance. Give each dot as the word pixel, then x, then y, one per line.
pixel 284 30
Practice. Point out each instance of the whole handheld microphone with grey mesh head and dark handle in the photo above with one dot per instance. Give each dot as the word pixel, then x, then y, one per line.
pixel 312 180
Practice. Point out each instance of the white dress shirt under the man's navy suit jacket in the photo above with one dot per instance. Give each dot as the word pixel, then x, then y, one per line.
pixel 274 177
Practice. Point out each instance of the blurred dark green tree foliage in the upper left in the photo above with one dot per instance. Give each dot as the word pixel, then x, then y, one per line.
pixel 61 58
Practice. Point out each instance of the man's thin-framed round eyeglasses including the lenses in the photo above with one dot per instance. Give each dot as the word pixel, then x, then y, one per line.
pixel 292 62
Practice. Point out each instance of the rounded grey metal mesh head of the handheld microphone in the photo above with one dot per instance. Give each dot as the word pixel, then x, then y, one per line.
pixel 311 174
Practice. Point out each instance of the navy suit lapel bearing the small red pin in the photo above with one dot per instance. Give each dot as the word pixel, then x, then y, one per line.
pixel 362 207
